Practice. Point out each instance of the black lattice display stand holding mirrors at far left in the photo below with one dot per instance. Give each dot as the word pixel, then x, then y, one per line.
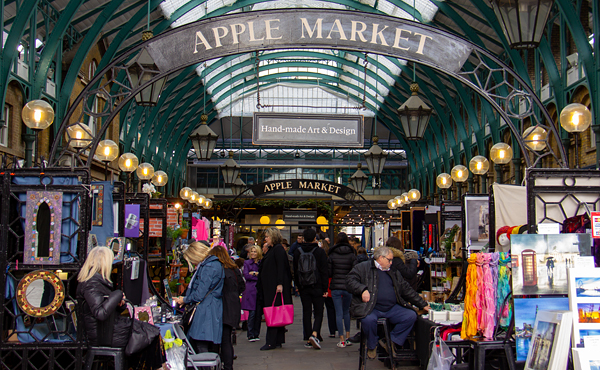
pixel 22 336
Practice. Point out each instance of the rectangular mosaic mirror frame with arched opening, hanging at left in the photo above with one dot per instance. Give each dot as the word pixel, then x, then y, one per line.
pixel 34 201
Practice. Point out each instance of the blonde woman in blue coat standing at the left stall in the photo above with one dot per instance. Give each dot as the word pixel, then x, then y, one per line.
pixel 205 288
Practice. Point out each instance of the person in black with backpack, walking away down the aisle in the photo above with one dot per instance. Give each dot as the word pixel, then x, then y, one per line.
pixel 310 265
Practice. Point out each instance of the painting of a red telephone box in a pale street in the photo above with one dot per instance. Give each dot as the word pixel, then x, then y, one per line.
pixel 540 262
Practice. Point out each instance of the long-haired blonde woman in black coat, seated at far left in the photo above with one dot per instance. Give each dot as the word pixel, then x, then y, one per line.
pixel 101 302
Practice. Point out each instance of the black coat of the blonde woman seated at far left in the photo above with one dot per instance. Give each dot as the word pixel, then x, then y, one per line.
pixel 99 302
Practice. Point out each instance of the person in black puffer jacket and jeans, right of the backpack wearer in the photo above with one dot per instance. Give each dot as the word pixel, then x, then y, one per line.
pixel 342 259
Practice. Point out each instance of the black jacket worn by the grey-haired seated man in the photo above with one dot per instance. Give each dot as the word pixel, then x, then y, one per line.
pixel 365 276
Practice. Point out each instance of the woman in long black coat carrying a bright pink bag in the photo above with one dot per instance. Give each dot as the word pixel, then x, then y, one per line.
pixel 274 281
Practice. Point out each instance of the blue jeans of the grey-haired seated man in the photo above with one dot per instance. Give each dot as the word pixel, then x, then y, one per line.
pixel 401 320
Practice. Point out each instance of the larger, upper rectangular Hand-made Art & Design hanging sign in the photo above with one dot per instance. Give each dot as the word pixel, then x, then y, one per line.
pixel 308 130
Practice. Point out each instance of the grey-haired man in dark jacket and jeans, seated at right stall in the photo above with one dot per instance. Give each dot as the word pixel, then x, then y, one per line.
pixel 379 292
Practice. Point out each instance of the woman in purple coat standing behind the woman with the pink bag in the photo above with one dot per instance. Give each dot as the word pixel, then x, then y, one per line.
pixel 249 296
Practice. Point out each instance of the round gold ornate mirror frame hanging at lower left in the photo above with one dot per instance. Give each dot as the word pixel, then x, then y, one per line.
pixel 59 293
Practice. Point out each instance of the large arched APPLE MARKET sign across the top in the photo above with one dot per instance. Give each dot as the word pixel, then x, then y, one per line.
pixel 307 28
